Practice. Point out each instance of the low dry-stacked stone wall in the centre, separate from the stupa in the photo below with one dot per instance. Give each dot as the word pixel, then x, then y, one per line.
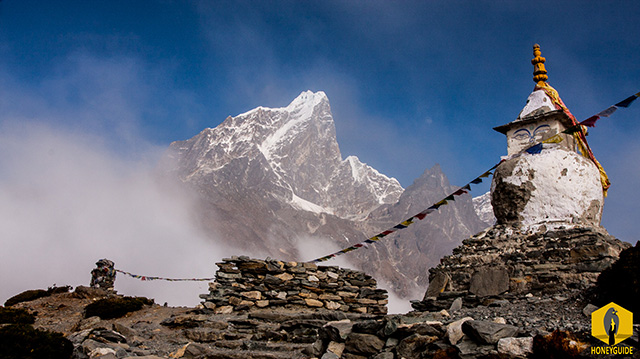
pixel 243 283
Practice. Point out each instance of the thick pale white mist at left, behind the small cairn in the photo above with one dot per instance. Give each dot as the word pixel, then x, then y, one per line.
pixel 67 200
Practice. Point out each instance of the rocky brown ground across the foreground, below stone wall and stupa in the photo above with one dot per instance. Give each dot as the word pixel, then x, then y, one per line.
pixel 508 327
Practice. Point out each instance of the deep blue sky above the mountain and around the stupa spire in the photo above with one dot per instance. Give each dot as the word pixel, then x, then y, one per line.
pixel 411 83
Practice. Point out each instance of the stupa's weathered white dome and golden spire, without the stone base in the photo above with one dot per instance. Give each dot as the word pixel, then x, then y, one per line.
pixel 549 184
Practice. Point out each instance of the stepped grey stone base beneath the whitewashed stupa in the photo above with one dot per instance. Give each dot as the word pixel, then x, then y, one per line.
pixel 504 259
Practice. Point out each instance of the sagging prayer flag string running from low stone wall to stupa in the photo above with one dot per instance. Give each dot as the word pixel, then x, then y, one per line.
pixel 406 223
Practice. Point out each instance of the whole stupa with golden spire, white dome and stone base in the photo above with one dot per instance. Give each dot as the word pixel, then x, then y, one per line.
pixel 547 196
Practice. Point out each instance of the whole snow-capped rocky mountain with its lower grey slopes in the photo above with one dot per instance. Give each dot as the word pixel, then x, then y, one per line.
pixel 272 182
